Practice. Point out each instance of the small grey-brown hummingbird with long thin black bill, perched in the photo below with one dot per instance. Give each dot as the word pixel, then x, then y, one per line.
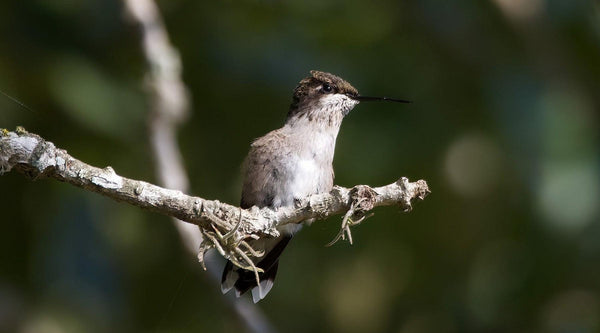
pixel 289 164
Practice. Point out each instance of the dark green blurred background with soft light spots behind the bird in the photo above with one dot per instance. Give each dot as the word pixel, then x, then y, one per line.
pixel 504 127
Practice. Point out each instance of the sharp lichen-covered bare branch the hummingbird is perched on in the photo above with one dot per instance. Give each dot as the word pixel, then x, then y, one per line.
pixel 37 158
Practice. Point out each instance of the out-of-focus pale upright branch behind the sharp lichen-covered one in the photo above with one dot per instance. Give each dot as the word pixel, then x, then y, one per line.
pixel 170 107
